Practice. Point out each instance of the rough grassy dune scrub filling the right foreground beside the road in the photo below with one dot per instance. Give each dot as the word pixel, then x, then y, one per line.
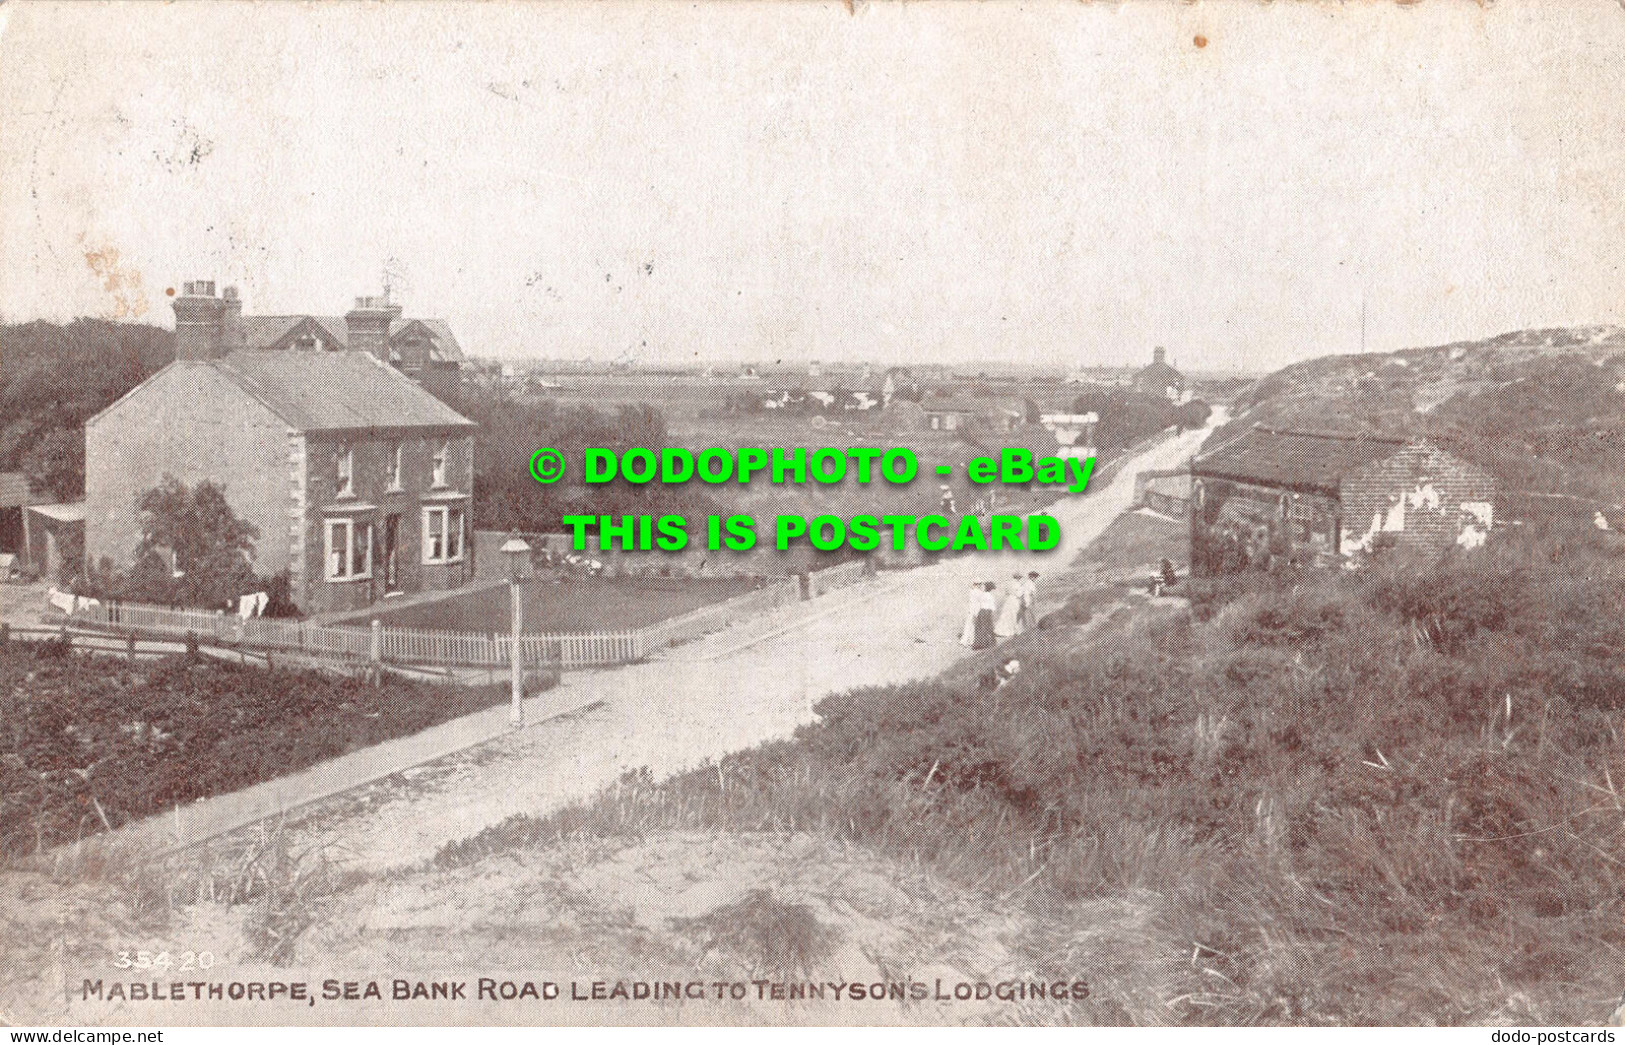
pixel 1380 799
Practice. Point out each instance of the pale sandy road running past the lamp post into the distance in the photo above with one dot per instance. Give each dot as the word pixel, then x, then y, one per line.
pixel 722 695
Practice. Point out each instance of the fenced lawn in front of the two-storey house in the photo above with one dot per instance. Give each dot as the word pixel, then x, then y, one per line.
pixel 599 604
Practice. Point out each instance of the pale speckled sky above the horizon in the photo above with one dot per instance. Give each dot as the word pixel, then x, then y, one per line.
pixel 911 183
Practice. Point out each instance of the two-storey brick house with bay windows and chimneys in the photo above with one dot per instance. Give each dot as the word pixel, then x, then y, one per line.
pixel 357 479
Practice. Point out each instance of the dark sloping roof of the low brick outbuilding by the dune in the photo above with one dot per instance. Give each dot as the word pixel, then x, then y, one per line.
pixel 1294 459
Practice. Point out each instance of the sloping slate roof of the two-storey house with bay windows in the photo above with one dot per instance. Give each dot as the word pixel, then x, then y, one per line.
pixel 319 392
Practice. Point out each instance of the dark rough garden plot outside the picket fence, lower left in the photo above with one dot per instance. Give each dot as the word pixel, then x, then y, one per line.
pixel 95 742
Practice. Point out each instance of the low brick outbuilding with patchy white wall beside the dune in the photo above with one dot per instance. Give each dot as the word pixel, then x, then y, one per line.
pixel 1330 496
